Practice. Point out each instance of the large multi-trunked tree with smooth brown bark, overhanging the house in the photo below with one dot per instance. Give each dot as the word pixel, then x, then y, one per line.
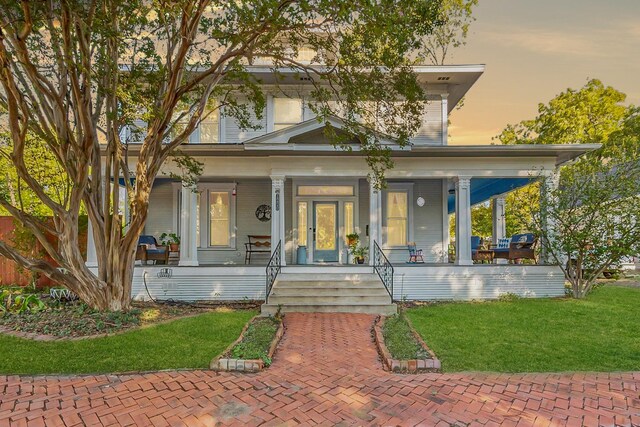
pixel 75 73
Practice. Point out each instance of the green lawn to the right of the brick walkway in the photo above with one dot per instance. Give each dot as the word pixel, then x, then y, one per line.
pixel 599 333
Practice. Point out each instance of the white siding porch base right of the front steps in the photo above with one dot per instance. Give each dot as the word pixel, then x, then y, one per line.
pixel 448 282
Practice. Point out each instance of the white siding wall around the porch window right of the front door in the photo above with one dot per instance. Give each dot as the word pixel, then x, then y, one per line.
pixel 427 222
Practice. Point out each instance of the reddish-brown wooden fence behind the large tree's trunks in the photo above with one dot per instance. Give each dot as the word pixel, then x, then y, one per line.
pixel 10 272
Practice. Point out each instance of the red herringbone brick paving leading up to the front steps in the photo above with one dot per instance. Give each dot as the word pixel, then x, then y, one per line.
pixel 327 372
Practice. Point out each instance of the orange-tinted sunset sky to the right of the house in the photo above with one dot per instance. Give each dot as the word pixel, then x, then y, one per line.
pixel 533 50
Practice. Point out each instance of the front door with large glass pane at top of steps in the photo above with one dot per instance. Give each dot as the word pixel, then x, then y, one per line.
pixel 325 231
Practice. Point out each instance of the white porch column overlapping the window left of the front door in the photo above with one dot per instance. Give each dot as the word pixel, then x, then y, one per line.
pixel 188 227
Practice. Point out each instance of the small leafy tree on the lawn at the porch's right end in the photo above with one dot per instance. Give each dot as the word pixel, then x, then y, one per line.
pixel 588 223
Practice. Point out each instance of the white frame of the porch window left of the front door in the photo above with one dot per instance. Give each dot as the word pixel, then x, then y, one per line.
pixel 205 190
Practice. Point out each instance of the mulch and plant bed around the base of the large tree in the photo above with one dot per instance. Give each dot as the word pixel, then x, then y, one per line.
pixel 74 320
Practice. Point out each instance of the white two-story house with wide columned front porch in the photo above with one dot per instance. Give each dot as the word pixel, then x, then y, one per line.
pixel 318 194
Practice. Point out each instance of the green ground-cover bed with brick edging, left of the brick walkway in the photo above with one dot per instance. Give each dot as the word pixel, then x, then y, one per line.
pixel 257 340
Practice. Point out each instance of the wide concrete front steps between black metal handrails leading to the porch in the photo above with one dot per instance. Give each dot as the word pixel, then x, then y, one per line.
pixel 330 291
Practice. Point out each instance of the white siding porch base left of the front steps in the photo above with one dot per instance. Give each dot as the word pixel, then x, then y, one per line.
pixel 200 283
